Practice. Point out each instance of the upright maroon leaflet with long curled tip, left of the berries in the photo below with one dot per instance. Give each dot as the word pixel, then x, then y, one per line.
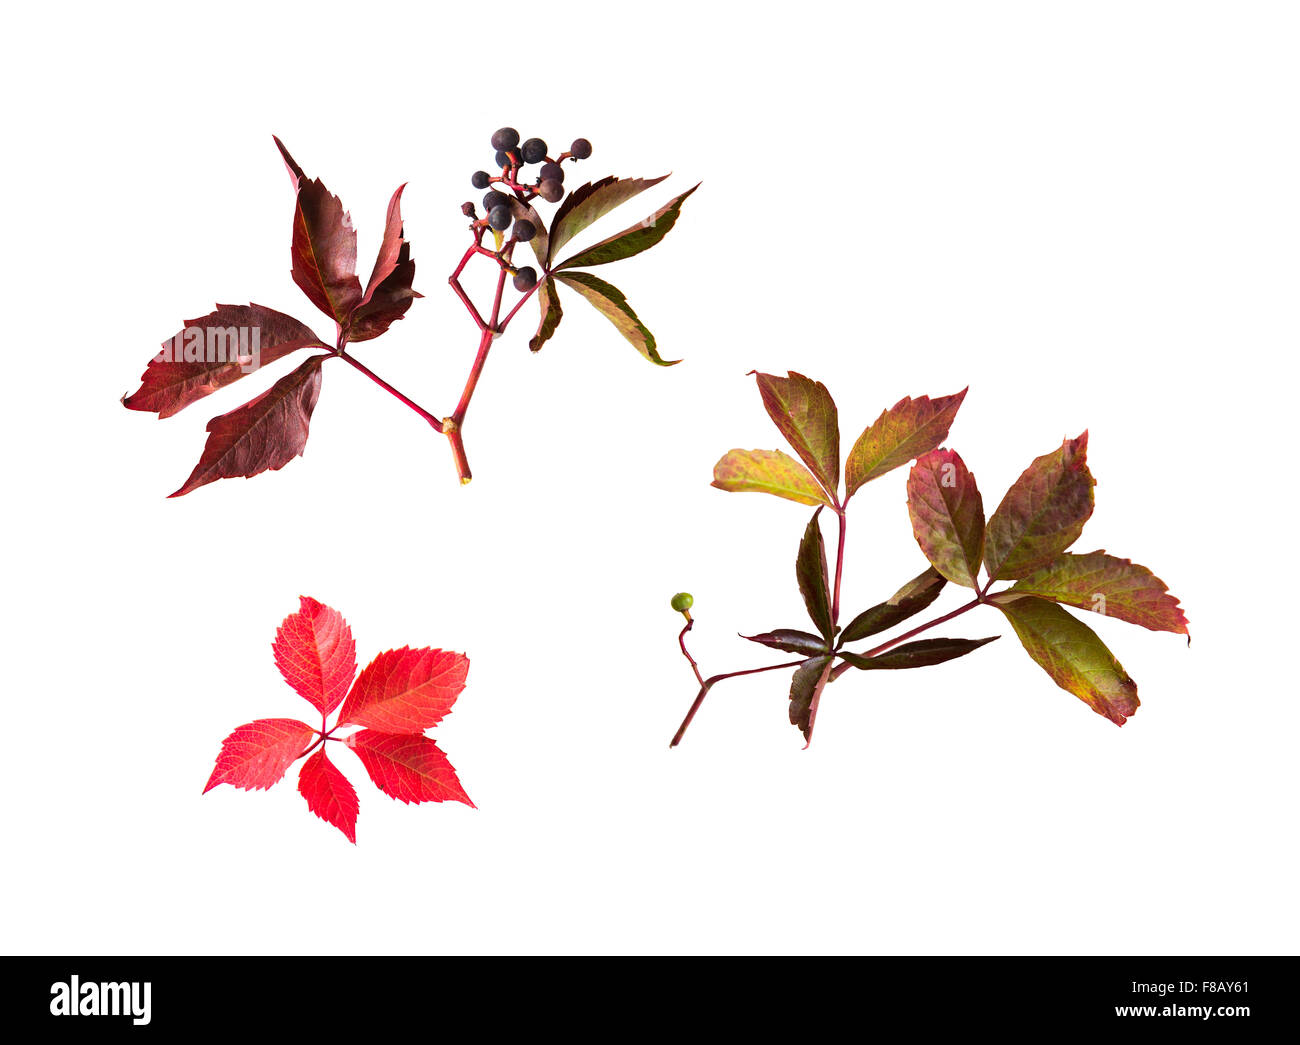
pixel 324 249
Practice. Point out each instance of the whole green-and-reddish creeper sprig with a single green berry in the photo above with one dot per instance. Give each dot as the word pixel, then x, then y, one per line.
pixel 1025 541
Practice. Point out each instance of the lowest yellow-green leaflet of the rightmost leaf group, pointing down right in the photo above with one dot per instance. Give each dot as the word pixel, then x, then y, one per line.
pixel 1073 654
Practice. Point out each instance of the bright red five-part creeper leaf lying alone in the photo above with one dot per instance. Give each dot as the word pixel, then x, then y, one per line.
pixel 396 699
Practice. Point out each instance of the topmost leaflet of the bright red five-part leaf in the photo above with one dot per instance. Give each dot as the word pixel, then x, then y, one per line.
pixel 317 654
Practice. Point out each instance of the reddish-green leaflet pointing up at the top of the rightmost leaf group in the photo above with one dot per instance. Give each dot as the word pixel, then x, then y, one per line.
pixel 1043 513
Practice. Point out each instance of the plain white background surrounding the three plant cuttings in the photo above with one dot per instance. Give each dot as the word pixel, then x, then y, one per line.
pixel 1086 213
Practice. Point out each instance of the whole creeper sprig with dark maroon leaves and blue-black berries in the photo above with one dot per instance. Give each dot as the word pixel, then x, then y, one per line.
pixel 270 431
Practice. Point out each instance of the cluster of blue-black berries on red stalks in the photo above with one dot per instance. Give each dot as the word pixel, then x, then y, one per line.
pixel 504 210
